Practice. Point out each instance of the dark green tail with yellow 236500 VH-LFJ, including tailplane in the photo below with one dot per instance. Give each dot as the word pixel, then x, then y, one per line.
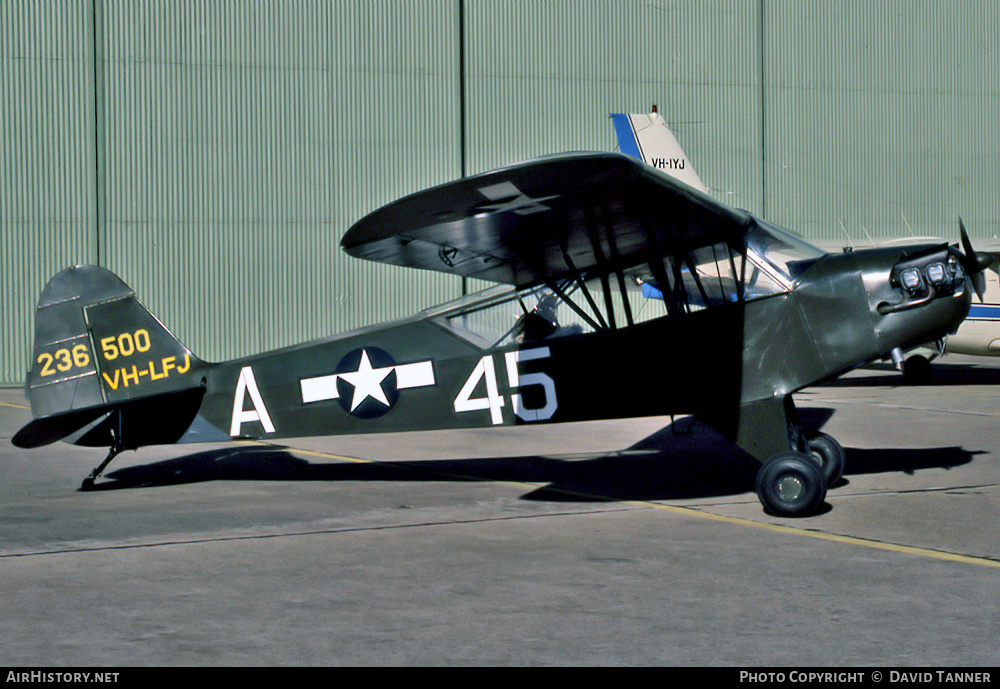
pixel 104 370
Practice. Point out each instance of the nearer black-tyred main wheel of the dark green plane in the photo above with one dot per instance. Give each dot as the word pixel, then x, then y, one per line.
pixel 791 484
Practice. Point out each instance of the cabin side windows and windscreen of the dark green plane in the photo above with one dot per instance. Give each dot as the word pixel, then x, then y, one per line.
pixel 680 283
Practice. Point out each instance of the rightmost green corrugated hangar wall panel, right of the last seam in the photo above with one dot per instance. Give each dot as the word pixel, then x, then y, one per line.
pixel 881 116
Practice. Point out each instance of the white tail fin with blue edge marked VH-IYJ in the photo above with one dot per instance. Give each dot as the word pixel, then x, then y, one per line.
pixel 648 138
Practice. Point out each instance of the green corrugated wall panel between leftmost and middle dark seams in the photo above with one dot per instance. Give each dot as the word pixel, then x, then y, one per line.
pixel 244 138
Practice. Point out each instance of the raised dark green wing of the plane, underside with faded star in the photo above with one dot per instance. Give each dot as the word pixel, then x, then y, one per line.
pixel 545 219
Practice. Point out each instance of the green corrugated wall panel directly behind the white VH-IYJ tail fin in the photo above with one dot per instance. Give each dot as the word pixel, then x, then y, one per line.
pixel 543 78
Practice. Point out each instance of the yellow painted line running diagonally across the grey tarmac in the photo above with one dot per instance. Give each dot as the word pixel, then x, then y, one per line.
pixel 738 521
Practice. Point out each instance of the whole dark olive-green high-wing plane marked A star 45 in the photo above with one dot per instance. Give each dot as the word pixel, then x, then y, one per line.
pixel 577 244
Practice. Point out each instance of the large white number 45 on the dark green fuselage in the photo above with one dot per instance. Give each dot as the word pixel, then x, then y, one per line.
pixel 494 402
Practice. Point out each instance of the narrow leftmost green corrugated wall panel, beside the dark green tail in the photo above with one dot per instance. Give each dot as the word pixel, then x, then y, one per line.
pixel 47 212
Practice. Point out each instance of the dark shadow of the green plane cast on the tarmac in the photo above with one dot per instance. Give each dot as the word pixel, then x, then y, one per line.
pixel 682 460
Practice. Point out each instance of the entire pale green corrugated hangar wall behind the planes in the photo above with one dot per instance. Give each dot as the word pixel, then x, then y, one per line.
pixel 212 152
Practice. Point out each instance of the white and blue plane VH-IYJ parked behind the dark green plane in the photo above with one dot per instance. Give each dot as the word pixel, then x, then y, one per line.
pixel 647 137
